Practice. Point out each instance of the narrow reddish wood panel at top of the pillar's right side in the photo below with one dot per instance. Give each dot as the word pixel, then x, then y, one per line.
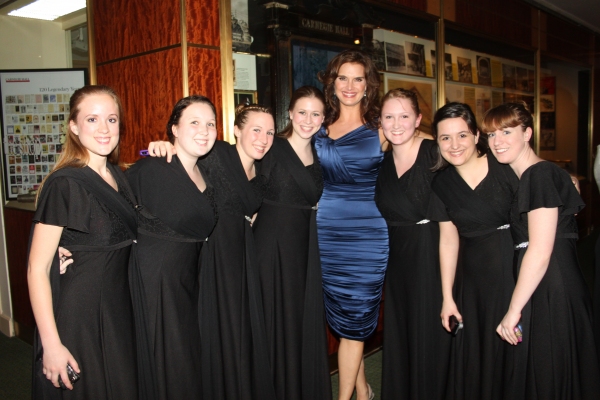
pixel 202 18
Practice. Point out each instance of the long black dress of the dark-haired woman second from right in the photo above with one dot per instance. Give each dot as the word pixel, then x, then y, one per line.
pixel 481 363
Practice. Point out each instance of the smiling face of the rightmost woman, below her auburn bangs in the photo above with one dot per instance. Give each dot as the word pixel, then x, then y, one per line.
pixel 509 144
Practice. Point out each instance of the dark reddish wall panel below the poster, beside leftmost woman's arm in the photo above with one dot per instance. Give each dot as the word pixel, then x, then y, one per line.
pixel 17 224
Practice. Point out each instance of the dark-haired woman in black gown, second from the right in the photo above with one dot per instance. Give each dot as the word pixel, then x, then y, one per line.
pixel 475 253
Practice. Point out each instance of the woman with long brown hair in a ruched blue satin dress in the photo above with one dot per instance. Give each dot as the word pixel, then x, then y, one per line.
pixel 353 238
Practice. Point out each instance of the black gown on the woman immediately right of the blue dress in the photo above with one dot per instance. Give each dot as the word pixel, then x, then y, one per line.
pixel 416 348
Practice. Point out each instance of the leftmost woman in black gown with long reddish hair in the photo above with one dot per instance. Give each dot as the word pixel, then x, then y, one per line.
pixel 84 317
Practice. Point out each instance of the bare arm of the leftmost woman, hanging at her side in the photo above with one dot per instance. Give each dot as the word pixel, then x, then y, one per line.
pixel 43 250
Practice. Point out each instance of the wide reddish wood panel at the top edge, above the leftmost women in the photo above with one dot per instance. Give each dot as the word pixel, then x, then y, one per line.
pixel 125 28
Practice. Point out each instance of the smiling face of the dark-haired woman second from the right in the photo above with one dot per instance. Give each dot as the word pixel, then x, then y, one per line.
pixel 457 143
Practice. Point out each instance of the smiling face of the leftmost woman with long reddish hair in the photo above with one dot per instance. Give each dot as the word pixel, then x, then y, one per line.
pixel 97 125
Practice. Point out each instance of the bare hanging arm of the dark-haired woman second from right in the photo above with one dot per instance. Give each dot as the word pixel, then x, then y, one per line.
pixel 449 245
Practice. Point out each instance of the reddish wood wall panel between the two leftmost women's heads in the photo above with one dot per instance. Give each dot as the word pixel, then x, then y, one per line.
pixel 148 87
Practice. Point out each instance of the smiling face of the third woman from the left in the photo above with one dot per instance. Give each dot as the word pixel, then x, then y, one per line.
pixel 255 138
